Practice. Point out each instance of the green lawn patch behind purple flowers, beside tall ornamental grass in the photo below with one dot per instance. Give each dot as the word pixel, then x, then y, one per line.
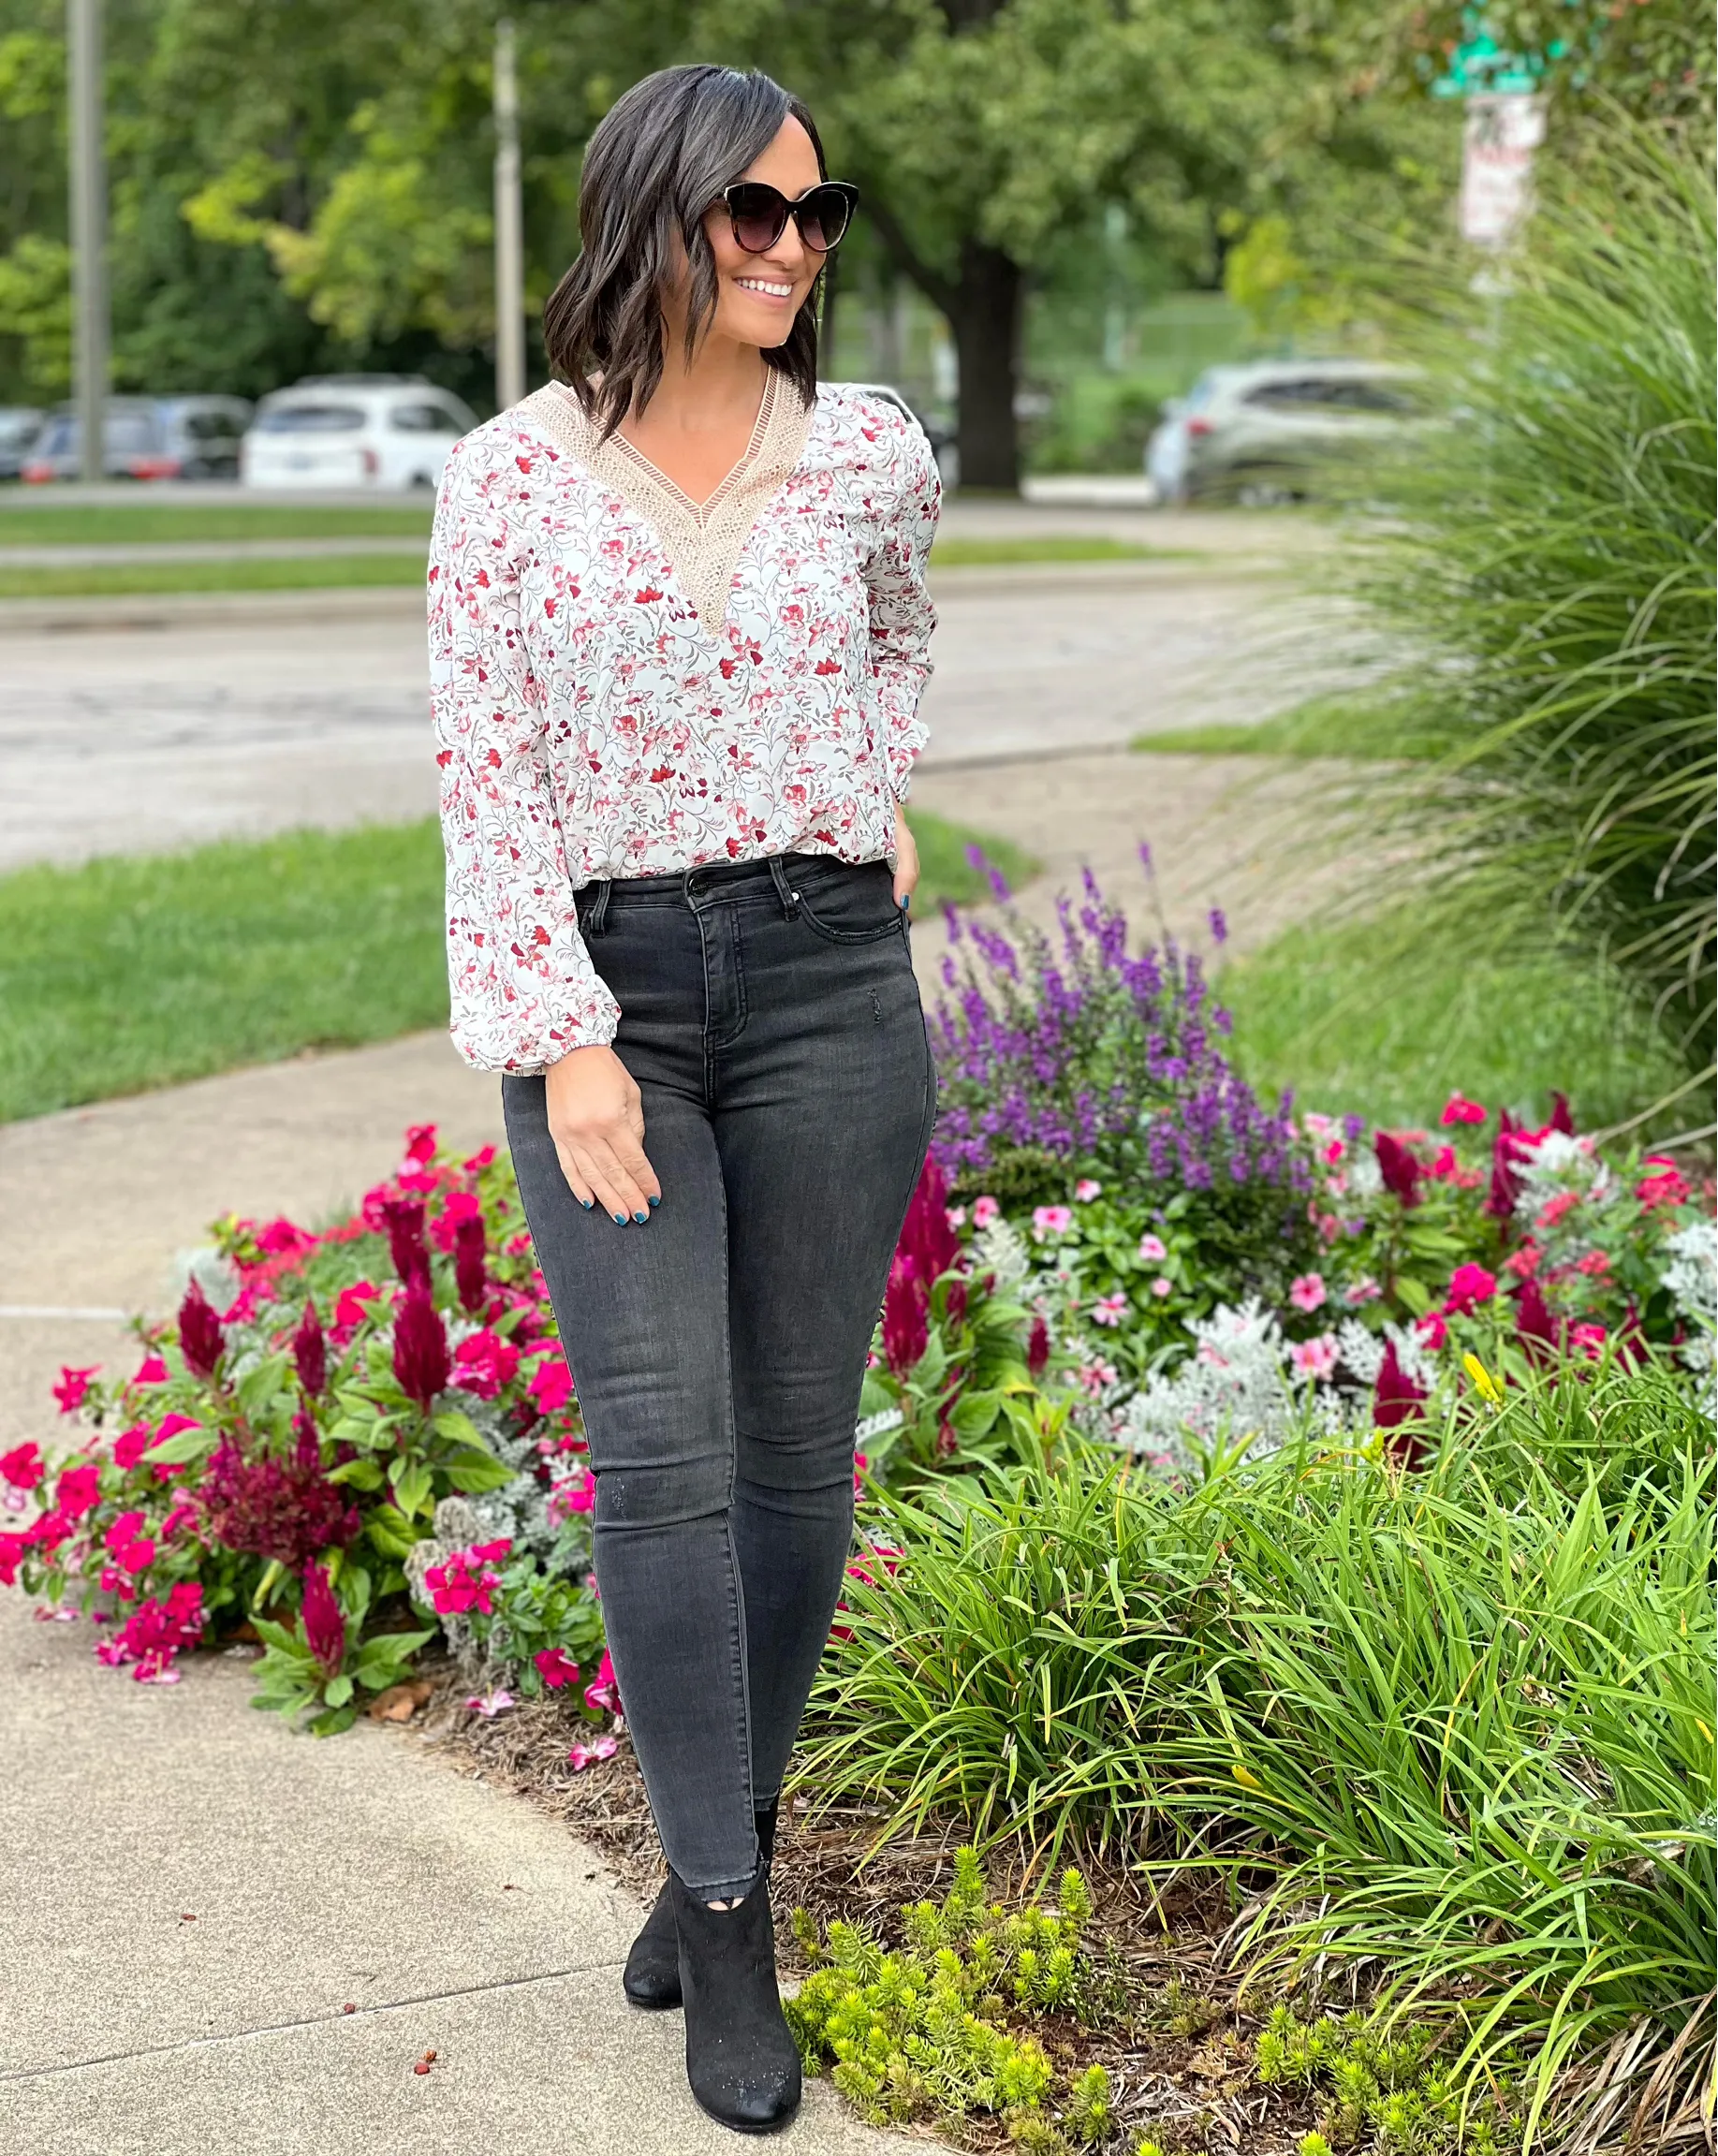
pixel 1378 1021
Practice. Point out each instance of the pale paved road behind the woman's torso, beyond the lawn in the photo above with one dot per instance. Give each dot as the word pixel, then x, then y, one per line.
pixel 225 719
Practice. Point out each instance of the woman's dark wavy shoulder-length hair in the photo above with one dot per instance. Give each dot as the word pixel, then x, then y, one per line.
pixel 659 158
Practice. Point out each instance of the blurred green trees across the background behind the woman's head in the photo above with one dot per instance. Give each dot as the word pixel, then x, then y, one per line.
pixel 1072 206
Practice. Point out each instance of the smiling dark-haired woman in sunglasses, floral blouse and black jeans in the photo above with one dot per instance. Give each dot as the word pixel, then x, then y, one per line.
pixel 678 644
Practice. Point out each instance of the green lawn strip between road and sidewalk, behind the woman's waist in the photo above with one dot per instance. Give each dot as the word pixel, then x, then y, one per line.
pixel 137 973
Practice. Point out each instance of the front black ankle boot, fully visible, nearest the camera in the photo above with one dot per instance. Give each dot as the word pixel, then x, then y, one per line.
pixel 740 2056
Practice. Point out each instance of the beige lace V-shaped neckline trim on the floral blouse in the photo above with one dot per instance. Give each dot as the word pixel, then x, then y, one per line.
pixel 699 540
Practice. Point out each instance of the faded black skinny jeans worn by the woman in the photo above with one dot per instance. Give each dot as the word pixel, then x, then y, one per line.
pixel 773 1023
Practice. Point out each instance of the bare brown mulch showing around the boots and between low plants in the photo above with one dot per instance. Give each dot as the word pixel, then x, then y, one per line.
pixel 1180 2047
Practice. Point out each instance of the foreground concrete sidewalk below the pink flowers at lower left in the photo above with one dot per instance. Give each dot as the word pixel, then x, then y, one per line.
pixel 223 1939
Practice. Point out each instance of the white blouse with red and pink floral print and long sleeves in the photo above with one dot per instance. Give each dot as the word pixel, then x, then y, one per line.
pixel 631 685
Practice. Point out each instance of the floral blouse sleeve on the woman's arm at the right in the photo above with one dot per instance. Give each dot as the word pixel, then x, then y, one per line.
pixel 906 506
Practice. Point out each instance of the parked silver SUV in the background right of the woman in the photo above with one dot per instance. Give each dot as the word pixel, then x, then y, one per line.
pixel 1262 432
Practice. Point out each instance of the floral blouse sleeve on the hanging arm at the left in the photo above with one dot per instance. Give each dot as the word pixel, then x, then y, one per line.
pixel 521 980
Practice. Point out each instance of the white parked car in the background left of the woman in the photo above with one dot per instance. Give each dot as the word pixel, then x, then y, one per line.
pixel 387 432
